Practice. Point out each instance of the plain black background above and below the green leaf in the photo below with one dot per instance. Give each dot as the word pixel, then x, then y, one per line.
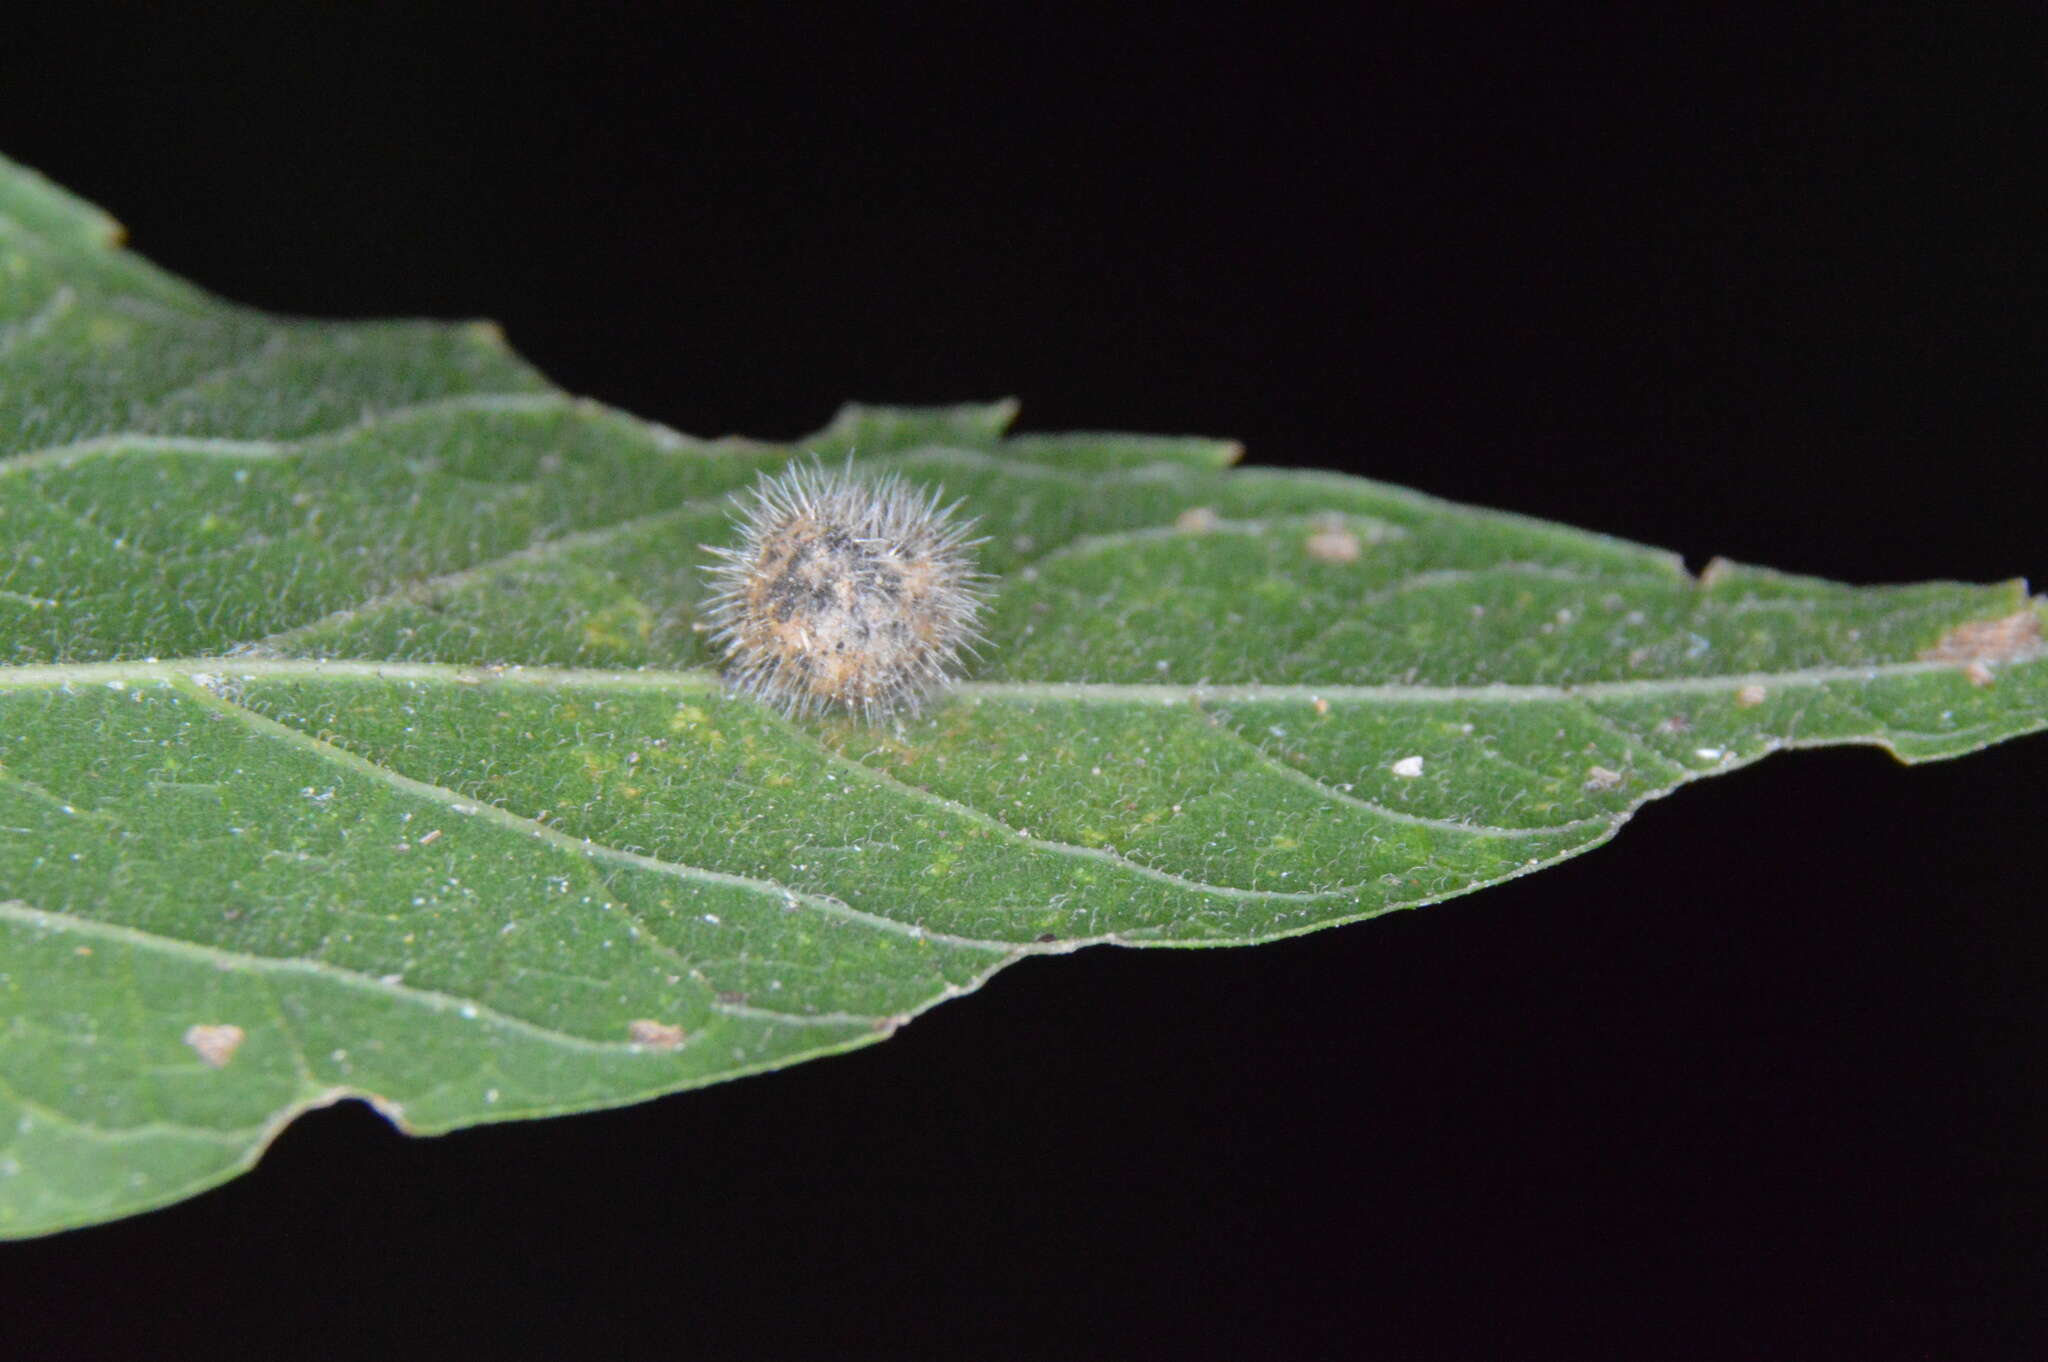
pixel 1762 1080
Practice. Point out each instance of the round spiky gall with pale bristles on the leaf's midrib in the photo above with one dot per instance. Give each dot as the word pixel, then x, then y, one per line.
pixel 845 593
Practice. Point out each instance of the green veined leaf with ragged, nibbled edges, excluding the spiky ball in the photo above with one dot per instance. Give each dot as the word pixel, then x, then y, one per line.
pixel 359 738
